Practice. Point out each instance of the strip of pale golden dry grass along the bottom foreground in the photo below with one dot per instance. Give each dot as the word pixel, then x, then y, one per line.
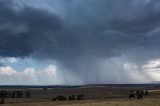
pixel 112 102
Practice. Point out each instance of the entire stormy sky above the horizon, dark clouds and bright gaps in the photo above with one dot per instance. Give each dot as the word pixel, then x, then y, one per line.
pixel 76 42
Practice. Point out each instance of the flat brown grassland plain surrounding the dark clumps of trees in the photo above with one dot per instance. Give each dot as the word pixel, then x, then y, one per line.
pixel 94 96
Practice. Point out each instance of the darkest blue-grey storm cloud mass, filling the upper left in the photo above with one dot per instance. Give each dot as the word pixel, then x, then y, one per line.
pixel 24 31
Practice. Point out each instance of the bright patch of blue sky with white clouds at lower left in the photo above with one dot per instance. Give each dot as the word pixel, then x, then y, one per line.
pixel 27 71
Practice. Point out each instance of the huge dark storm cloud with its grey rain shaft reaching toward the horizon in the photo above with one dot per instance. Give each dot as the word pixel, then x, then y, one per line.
pixel 88 31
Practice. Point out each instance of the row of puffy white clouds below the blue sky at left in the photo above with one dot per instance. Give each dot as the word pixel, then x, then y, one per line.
pixel 29 76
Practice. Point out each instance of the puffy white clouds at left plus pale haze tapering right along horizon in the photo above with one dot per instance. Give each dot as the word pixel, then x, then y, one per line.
pixel 50 75
